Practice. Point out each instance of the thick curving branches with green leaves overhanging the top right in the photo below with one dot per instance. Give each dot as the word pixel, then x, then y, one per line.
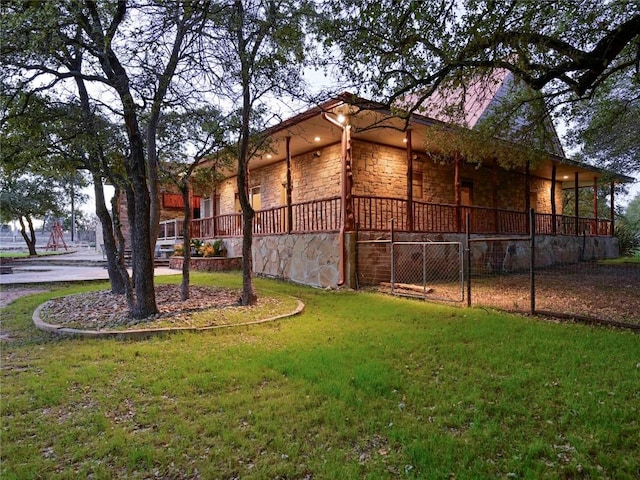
pixel 561 46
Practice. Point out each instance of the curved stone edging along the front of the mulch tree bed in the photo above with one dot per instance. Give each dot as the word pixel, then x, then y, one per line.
pixel 144 332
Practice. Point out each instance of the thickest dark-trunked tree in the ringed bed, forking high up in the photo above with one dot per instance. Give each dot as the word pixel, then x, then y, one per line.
pixel 134 65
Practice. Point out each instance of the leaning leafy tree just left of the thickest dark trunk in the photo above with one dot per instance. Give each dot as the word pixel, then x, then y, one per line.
pixel 59 140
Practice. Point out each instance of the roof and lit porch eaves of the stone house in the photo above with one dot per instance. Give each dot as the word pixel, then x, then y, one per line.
pixel 308 131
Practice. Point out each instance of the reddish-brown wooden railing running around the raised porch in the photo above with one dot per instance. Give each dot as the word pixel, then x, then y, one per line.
pixel 375 213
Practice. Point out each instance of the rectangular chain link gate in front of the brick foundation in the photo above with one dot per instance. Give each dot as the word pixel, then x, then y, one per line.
pixel 428 270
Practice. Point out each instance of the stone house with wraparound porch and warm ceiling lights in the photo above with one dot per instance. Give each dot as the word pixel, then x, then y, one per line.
pixel 349 172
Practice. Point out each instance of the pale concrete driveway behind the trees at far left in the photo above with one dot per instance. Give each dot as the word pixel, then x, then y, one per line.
pixel 68 267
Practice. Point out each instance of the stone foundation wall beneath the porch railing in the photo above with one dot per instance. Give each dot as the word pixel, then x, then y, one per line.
pixel 314 258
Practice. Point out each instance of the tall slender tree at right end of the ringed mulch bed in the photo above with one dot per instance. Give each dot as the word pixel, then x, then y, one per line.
pixel 257 50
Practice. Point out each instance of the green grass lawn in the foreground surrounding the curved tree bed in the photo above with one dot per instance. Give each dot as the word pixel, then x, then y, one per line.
pixel 360 385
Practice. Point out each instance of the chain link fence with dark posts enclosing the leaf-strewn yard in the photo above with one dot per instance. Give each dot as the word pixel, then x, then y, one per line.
pixel 511 274
